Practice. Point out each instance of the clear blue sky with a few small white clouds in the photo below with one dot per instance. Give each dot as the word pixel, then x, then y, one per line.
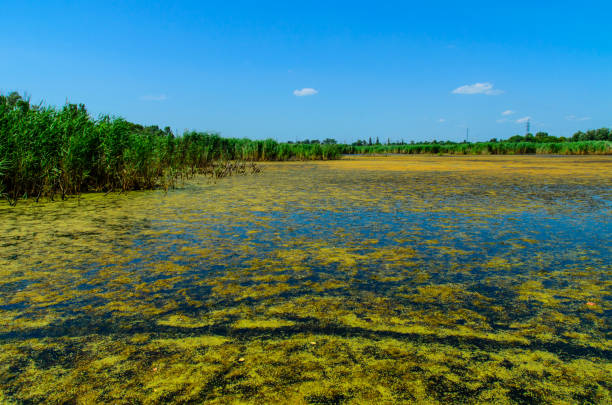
pixel 296 70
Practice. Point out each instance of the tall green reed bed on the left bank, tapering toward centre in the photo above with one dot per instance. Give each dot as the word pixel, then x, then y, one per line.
pixel 47 152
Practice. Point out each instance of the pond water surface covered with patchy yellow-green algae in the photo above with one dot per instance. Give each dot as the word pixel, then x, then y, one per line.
pixel 365 280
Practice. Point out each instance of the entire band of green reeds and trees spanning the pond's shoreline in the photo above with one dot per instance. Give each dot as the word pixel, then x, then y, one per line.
pixel 48 152
